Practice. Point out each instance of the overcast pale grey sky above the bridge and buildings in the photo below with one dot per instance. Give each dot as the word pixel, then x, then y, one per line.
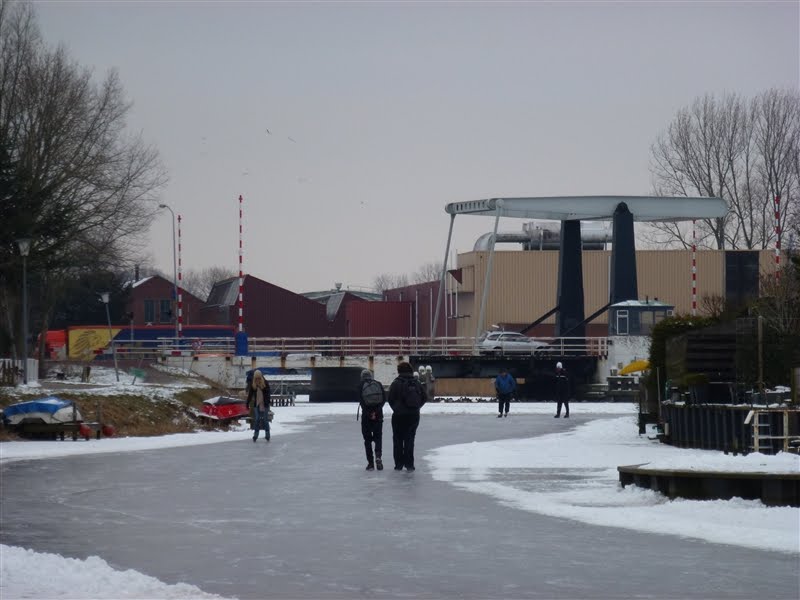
pixel 381 113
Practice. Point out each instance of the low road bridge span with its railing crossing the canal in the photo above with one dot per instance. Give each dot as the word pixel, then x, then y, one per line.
pixel 451 358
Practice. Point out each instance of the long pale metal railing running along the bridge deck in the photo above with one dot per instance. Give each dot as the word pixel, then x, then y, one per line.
pixel 354 346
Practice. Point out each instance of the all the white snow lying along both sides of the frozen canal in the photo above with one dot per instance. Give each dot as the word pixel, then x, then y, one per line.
pixel 568 475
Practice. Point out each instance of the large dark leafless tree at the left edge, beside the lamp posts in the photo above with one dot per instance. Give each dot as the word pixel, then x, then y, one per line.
pixel 72 180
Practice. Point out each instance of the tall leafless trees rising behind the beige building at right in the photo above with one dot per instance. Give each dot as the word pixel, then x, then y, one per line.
pixel 743 152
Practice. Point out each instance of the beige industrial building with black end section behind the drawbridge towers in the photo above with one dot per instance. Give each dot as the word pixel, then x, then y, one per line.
pixel 524 285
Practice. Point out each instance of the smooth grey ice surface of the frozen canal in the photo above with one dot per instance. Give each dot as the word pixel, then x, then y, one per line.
pixel 300 518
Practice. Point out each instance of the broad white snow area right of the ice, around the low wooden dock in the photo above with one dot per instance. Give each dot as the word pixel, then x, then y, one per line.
pixel 574 475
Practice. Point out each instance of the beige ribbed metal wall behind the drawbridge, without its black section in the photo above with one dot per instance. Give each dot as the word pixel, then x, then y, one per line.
pixel 524 284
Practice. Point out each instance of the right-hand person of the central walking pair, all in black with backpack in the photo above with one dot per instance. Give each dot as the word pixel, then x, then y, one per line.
pixel 406 397
